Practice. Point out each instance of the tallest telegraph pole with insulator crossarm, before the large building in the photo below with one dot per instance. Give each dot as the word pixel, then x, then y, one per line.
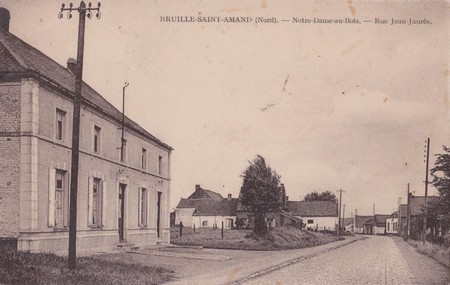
pixel 83 11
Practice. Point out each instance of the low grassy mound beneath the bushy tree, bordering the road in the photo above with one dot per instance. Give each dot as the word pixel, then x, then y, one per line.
pixel 278 238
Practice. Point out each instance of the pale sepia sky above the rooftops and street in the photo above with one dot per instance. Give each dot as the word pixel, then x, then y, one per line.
pixel 330 106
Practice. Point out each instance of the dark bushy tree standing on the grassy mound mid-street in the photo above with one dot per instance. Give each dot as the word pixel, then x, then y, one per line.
pixel 261 192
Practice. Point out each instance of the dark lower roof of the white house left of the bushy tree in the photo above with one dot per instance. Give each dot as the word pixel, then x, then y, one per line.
pixel 210 207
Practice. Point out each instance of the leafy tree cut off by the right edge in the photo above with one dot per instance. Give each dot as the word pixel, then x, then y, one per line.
pixel 441 181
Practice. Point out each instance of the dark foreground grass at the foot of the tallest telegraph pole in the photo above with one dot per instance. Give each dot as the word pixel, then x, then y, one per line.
pixel 42 268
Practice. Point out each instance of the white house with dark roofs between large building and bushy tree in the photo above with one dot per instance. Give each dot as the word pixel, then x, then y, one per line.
pixel 206 208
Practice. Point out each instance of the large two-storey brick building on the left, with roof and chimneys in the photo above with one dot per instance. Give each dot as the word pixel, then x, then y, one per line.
pixel 121 198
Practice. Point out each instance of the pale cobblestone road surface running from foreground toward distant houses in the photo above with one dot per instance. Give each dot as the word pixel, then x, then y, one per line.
pixel 376 260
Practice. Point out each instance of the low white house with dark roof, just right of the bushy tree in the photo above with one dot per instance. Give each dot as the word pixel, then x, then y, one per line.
pixel 320 215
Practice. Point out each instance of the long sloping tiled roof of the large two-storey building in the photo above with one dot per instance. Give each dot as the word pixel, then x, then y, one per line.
pixel 18 57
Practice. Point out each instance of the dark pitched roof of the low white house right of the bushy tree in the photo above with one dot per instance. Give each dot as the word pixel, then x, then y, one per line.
pixel 313 208
